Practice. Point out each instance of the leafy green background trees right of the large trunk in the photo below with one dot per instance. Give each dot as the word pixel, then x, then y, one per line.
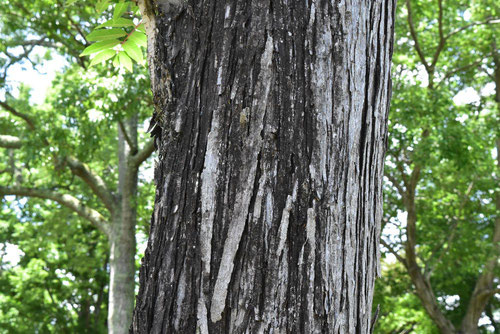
pixel 441 167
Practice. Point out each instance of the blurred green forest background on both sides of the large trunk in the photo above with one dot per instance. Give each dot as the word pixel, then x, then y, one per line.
pixel 76 167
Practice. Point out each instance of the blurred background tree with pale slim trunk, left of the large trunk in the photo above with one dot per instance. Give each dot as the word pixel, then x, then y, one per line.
pixel 82 151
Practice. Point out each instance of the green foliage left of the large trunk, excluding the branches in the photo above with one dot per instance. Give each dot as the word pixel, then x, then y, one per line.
pixel 60 284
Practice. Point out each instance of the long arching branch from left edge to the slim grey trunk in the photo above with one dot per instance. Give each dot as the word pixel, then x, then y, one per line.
pixel 67 200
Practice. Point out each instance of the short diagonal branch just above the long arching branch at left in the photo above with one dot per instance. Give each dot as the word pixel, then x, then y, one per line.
pixel 94 181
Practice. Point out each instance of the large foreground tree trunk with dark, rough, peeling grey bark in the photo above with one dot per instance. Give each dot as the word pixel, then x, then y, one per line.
pixel 268 201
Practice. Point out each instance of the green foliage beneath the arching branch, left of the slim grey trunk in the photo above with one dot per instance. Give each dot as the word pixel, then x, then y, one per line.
pixel 60 283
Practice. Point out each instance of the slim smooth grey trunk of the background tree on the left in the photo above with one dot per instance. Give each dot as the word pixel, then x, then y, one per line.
pixel 122 238
